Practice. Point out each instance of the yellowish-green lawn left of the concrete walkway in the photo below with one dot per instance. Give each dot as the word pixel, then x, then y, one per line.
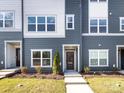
pixel 31 86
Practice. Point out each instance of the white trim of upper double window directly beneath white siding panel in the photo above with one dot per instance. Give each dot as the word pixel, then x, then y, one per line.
pixel 99 25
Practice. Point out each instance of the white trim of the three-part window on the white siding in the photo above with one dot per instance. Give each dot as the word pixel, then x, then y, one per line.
pixel 45 24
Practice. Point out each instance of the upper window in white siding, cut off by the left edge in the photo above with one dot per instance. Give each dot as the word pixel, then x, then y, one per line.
pixel 6 19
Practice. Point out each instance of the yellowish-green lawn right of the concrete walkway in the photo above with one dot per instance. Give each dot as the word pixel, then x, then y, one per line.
pixel 107 84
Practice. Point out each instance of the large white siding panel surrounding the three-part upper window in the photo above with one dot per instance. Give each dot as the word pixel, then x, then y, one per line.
pixel 45 7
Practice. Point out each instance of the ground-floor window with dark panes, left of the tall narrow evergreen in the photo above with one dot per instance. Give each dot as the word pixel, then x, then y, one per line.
pixel 41 58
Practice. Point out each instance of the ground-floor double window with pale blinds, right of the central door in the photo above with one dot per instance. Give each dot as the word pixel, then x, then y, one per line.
pixel 98 58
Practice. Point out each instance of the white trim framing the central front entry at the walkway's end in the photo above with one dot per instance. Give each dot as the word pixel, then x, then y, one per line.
pixel 63 51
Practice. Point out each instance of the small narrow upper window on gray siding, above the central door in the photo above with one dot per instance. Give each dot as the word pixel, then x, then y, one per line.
pixel 70 22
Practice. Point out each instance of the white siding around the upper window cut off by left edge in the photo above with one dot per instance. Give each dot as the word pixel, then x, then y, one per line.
pixel 12 5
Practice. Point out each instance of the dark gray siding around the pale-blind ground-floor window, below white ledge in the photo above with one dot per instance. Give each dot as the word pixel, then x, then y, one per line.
pixel 106 43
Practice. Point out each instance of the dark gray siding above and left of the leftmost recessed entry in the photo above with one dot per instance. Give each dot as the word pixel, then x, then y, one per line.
pixel 7 36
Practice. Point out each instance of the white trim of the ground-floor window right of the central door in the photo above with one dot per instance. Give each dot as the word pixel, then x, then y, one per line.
pixel 98 50
